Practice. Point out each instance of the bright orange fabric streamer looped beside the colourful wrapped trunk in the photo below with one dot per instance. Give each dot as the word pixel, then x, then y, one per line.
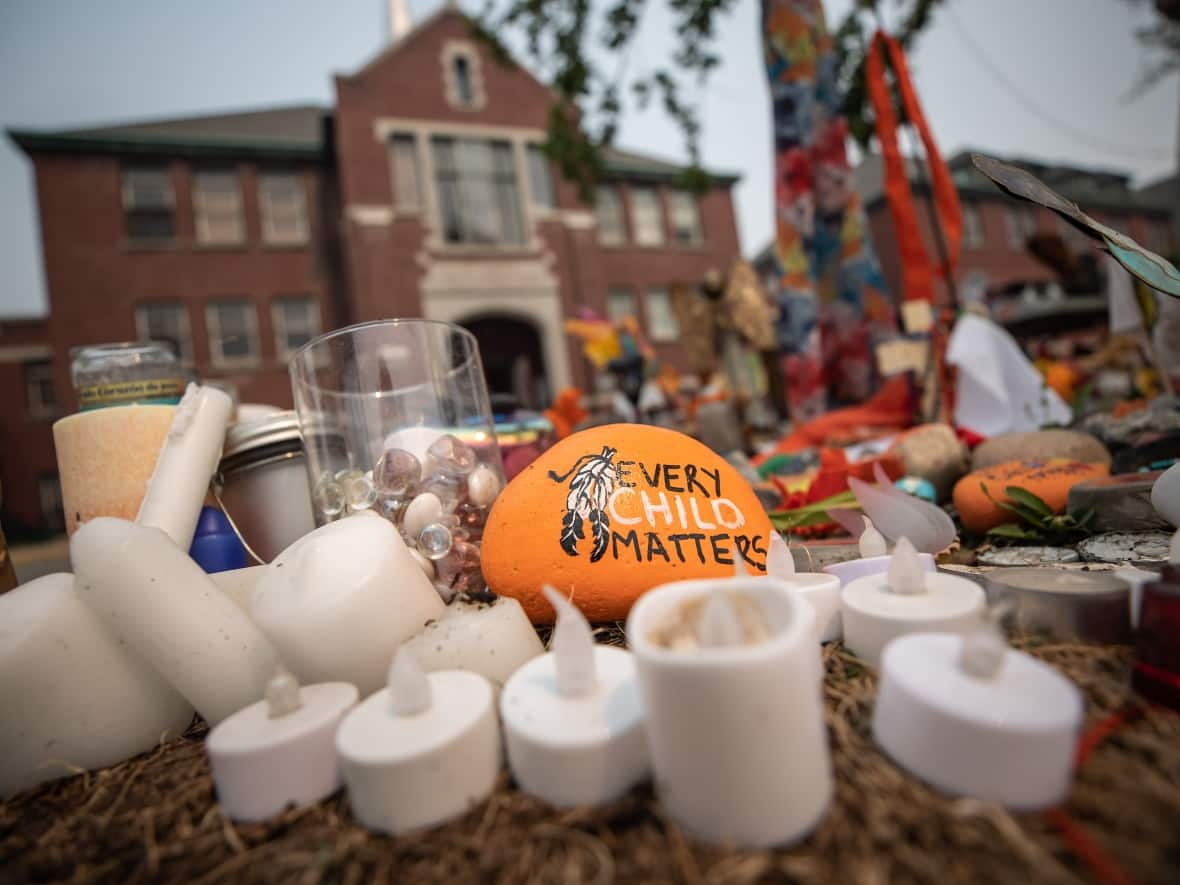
pixel 917 271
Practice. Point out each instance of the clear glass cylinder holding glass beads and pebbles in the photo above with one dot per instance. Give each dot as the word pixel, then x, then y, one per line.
pixel 396 419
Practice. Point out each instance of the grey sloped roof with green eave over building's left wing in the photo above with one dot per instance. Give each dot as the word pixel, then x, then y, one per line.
pixel 296 133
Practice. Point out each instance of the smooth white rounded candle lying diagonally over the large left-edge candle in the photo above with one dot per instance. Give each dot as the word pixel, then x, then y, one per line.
pixel 163 606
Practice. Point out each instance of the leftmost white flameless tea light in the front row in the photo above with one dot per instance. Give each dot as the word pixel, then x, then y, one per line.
pixel 280 751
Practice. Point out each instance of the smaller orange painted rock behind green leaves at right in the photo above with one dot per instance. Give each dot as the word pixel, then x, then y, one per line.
pixel 1050 481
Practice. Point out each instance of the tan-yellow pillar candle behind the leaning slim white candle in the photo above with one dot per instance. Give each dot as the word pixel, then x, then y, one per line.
pixel 106 458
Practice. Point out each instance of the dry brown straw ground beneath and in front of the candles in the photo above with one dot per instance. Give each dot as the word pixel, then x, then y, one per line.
pixel 155 820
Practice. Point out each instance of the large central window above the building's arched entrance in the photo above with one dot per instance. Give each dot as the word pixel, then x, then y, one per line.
pixel 480 201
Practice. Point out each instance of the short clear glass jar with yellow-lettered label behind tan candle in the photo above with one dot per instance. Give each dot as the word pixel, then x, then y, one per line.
pixel 141 372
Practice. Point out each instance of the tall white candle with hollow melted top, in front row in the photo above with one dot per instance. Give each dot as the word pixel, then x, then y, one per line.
pixel 736 733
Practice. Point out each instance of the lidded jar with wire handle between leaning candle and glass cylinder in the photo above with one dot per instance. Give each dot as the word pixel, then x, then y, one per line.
pixel 265 488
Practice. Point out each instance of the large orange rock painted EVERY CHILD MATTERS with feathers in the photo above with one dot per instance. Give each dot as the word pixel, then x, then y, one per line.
pixel 614 512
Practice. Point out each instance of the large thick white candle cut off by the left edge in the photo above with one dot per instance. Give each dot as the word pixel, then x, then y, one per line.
pixel 74 697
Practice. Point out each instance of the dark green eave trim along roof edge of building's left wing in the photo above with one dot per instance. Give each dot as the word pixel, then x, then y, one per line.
pixel 40 142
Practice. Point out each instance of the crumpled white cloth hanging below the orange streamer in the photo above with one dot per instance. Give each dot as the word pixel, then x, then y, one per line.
pixel 999 390
